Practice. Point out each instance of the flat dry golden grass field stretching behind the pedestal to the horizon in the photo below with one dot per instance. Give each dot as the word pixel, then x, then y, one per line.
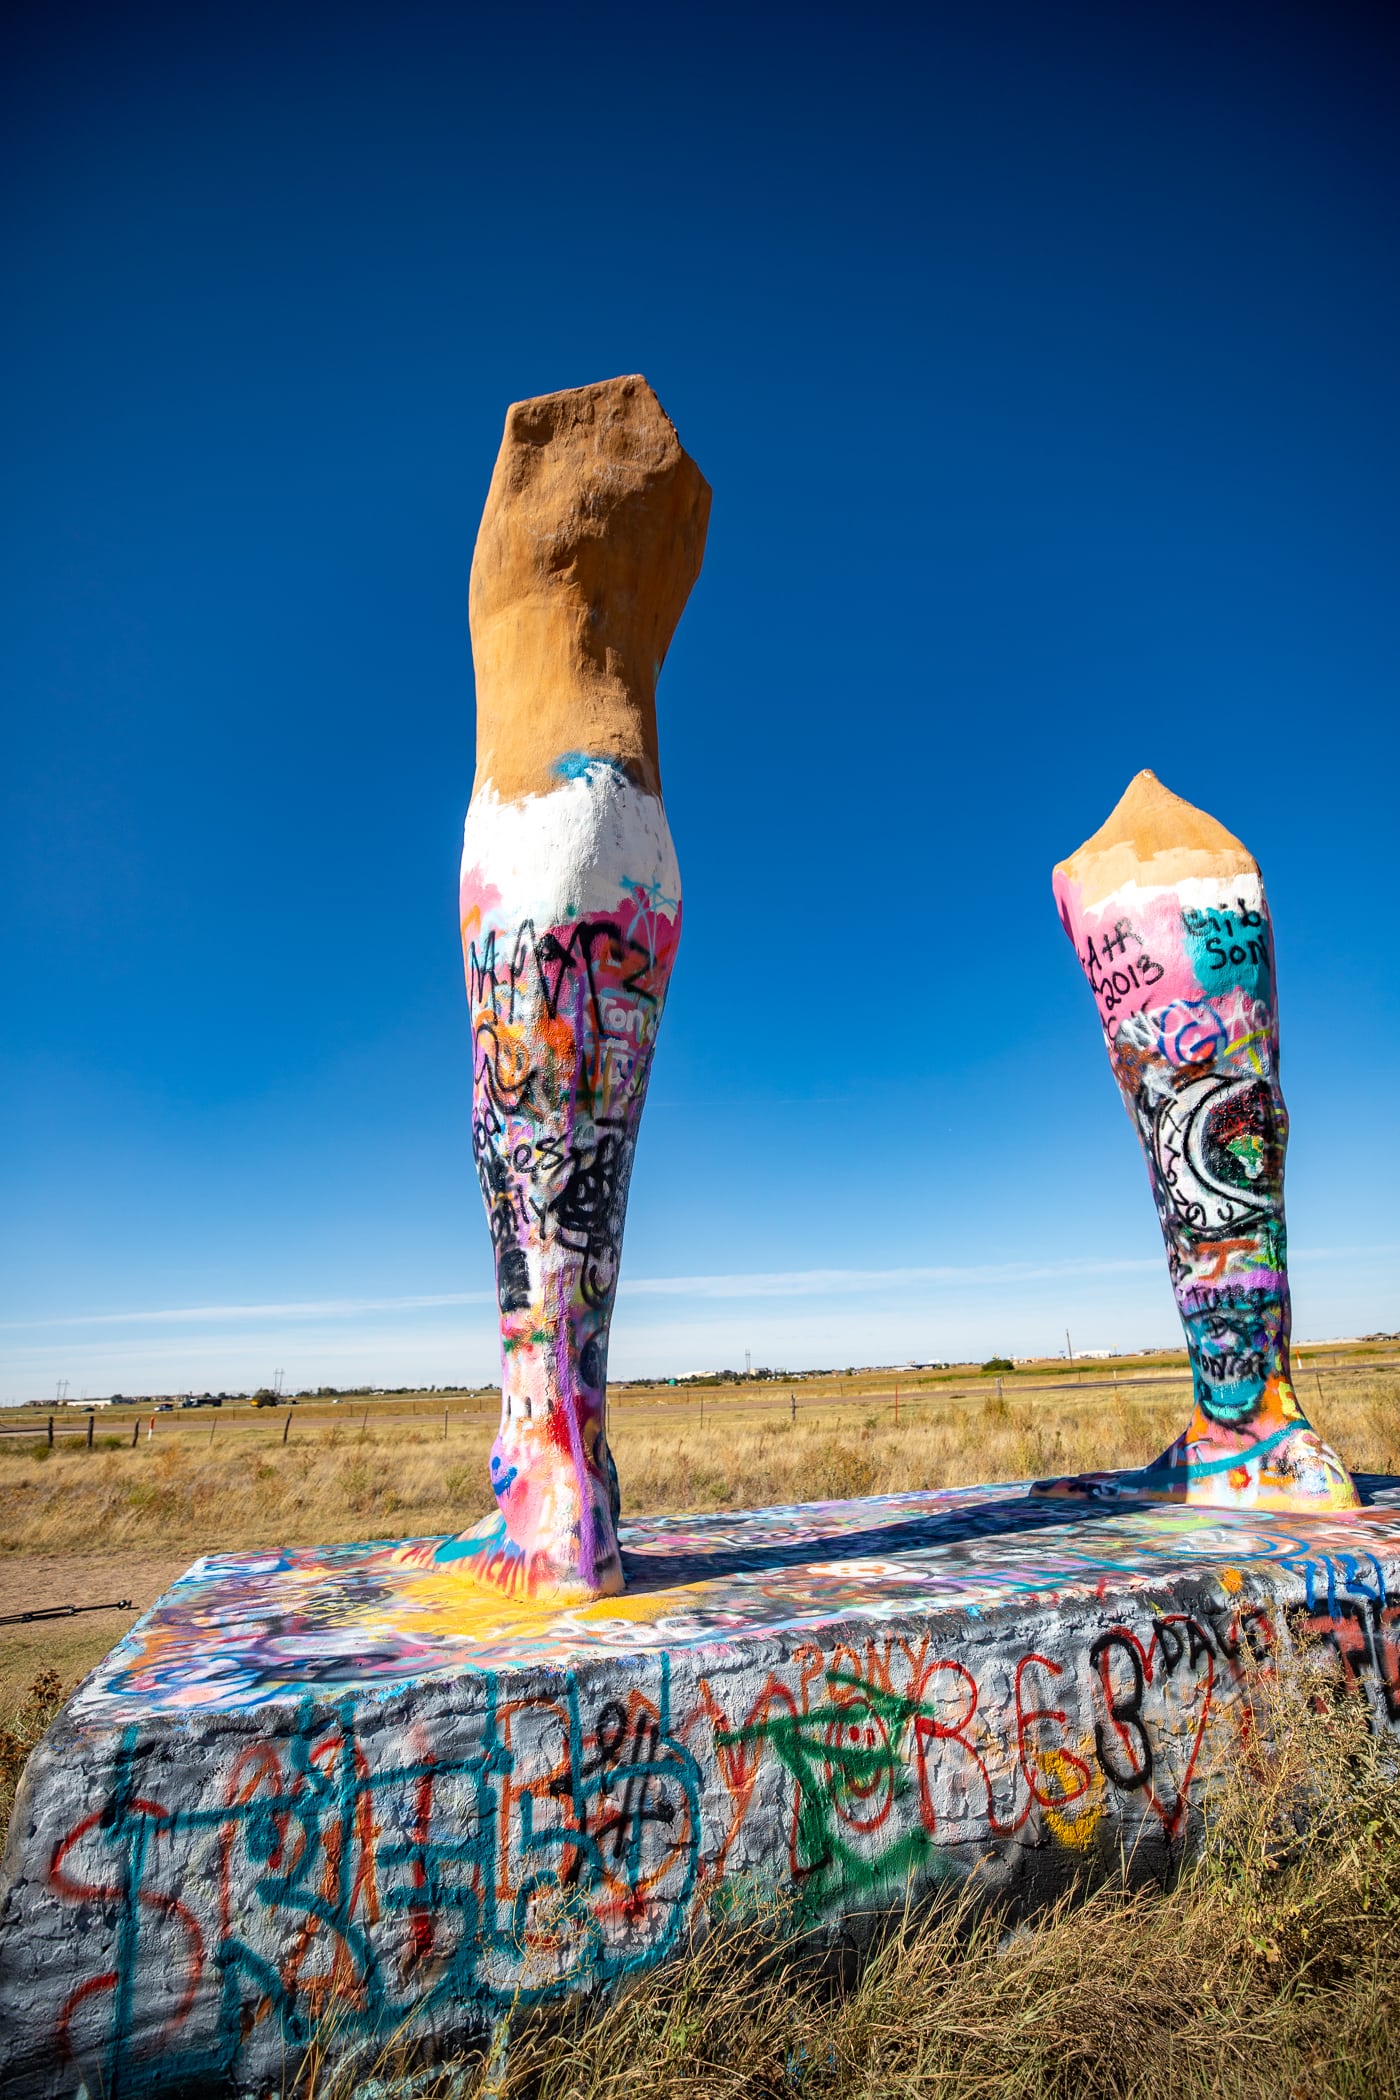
pixel 119 1521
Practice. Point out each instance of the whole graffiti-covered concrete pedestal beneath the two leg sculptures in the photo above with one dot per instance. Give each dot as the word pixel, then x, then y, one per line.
pixel 349 1786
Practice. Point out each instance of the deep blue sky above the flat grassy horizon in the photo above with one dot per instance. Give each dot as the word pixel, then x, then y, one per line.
pixel 1044 369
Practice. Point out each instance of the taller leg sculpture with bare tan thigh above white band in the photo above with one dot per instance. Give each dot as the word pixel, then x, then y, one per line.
pixel 589 547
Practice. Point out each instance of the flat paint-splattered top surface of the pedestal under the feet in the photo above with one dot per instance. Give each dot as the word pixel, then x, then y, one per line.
pixel 242 1631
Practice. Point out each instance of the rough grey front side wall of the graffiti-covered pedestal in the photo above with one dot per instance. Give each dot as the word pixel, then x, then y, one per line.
pixel 188 1899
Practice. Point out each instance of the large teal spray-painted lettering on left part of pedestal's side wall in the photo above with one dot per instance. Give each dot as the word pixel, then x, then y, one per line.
pixel 547 1860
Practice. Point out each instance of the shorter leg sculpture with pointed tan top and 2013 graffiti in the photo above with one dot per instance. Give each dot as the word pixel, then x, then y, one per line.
pixel 1170 923
